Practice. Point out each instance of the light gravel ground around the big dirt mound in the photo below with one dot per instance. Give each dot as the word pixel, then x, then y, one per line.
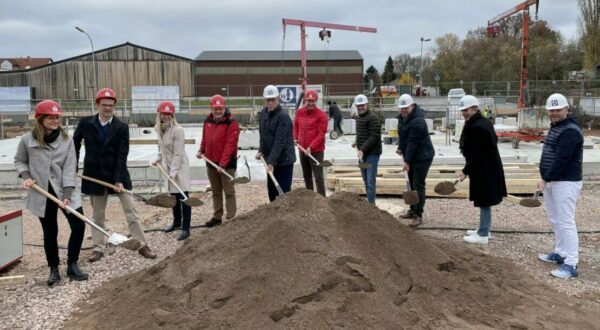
pixel 36 306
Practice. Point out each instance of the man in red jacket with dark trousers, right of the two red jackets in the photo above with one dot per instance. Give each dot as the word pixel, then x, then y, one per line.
pixel 310 127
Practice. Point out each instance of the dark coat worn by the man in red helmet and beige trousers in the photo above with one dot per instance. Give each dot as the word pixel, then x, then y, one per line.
pixel 105 157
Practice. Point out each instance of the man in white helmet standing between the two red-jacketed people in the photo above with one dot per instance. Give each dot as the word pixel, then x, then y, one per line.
pixel 276 142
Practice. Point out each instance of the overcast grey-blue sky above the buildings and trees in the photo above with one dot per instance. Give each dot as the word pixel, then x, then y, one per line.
pixel 188 27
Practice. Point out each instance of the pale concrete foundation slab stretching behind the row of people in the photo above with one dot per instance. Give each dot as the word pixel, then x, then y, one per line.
pixel 338 151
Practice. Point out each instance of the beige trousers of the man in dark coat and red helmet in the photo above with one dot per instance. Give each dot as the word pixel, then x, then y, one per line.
pixel 133 220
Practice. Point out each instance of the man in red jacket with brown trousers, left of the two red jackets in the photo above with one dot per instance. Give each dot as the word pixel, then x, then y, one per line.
pixel 219 144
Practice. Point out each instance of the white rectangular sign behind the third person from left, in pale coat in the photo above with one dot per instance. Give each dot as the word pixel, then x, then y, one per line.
pixel 145 99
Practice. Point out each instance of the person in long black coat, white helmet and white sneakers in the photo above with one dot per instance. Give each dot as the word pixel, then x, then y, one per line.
pixel 479 146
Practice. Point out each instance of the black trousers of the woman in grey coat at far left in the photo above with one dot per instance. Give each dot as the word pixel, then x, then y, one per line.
pixel 50 228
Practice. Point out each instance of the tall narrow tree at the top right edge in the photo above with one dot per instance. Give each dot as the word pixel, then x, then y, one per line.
pixel 589 30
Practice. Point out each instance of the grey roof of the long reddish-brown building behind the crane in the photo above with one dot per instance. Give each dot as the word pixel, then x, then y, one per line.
pixel 276 55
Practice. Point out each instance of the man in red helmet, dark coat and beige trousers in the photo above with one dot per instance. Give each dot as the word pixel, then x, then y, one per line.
pixel 106 140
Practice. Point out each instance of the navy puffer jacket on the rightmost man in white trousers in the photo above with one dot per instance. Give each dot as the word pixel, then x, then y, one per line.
pixel 562 155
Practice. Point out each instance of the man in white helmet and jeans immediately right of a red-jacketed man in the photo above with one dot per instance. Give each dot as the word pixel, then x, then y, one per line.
pixel 368 143
